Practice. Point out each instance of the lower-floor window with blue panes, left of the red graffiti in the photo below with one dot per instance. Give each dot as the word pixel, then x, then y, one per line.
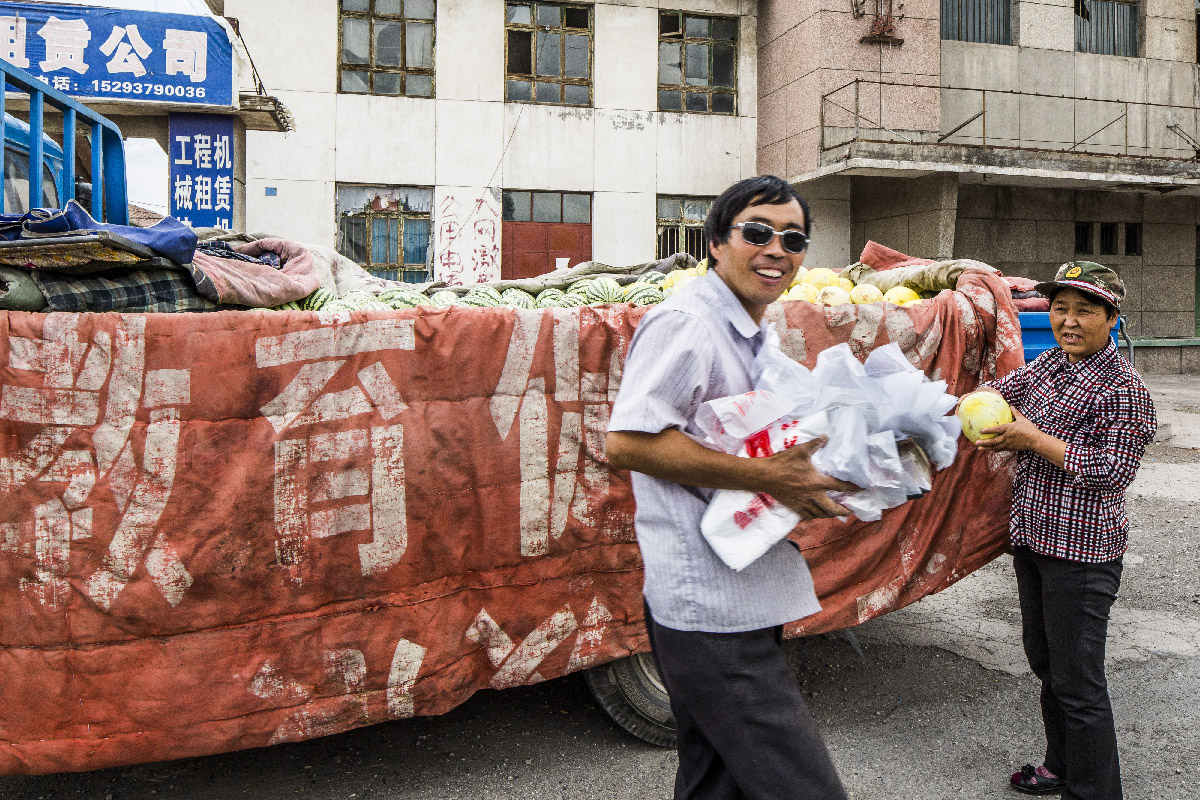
pixel 387 230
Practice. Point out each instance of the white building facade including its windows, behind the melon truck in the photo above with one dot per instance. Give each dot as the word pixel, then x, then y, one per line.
pixel 466 161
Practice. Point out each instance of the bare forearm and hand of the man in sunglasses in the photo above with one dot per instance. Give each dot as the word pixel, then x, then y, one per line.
pixel 788 477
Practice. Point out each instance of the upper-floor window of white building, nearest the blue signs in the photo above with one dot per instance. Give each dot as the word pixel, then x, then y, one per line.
pixel 387 47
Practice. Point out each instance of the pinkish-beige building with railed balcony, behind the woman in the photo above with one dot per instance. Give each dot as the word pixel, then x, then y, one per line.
pixel 1048 137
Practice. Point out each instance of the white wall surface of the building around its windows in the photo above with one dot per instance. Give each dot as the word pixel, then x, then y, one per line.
pixel 623 151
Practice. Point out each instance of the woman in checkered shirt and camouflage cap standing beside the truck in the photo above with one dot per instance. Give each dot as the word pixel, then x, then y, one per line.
pixel 1083 422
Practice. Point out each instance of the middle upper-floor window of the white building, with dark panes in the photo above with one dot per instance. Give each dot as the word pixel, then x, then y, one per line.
pixel 548 51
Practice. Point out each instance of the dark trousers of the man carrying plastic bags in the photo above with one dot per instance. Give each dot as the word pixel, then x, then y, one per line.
pixel 743 729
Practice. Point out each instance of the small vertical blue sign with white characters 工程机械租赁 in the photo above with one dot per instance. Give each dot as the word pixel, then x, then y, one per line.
pixel 202 170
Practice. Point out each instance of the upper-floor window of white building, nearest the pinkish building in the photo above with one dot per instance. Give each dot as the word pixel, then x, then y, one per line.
pixel 698 63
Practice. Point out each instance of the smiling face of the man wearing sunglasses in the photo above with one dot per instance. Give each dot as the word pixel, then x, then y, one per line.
pixel 759 275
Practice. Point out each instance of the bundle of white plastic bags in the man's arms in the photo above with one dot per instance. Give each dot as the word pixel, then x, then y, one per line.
pixel 887 430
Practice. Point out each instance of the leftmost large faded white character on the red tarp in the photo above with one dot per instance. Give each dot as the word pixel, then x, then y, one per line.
pixel 91 395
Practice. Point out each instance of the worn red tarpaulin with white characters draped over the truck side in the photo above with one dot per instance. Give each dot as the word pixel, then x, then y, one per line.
pixel 232 530
